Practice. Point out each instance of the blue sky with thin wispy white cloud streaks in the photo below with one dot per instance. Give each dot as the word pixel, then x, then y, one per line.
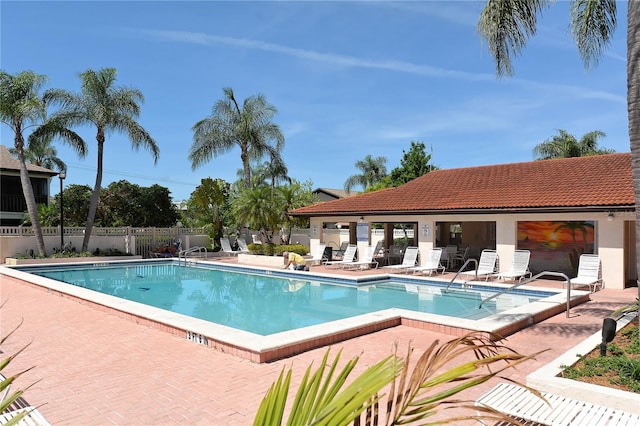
pixel 349 79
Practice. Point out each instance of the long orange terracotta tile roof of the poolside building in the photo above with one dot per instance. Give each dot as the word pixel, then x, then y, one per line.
pixel 583 183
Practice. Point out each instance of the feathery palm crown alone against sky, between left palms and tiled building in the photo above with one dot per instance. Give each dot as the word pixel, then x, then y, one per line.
pixel 249 128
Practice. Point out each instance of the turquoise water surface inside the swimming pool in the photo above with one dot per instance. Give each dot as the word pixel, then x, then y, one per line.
pixel 265 304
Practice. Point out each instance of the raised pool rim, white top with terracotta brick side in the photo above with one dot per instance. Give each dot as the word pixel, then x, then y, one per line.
pixel 276 346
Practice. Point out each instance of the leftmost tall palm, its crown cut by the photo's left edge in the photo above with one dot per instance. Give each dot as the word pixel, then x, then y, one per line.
pixel 21 107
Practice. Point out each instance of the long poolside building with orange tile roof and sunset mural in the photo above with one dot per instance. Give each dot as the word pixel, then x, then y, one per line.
pixel 556 208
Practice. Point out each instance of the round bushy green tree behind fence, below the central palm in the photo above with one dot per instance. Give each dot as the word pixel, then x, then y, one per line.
pixel 209 206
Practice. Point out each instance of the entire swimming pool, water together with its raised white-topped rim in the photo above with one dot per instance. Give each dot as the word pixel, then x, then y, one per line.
pixel 264 314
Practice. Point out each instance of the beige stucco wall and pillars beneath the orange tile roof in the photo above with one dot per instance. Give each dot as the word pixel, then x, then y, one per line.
pixel 609 235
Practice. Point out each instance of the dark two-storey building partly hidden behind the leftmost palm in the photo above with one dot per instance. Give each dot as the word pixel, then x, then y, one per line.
pixel 12 203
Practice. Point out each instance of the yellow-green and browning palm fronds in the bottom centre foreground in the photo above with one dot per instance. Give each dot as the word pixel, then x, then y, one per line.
pixel 411 396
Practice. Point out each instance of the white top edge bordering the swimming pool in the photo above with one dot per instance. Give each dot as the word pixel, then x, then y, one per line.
pixel 203 331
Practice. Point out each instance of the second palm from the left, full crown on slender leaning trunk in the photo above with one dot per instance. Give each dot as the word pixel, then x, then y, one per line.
pixel 109 108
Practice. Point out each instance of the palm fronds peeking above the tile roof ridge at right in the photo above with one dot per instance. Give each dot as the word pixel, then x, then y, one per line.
pixel 565 145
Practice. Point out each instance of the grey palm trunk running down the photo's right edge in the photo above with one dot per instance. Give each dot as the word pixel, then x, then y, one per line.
pixel 633 105
